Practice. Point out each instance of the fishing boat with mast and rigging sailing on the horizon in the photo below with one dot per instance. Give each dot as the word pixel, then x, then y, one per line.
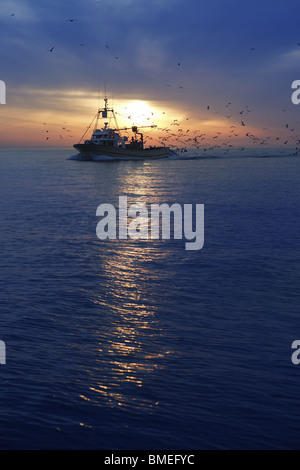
pixel 107 141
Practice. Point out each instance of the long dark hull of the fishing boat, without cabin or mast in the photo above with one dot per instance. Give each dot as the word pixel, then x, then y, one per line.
pixel 121 153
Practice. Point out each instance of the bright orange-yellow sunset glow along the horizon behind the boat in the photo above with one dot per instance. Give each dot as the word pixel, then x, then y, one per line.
pixel 50 118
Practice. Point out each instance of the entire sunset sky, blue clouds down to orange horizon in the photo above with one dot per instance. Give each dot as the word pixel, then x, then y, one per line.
pixel 204 67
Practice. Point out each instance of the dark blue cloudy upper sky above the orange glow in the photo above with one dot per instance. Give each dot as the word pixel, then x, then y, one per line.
pixel 146 39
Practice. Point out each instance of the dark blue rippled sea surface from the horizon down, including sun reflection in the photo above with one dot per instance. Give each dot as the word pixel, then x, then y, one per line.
pixel 140 344
